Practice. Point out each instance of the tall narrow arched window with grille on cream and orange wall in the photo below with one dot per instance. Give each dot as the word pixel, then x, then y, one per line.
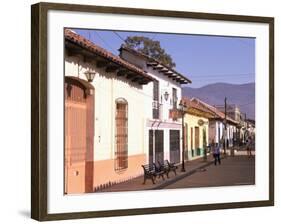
pixel 121 134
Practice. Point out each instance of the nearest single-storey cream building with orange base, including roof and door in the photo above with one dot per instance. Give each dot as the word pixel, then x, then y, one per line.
pixel 105 117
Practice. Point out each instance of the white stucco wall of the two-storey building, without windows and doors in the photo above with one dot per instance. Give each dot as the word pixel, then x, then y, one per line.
pixel 164 122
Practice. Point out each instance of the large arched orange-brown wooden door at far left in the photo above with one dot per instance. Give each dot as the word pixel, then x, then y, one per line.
pixel 78 138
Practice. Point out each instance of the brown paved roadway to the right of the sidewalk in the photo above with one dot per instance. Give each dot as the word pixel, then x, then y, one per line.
pixel 238 170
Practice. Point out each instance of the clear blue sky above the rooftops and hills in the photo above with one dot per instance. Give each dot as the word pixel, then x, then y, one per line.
pixel 203 59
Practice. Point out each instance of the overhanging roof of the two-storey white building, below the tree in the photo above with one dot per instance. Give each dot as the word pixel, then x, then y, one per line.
pixel 158 65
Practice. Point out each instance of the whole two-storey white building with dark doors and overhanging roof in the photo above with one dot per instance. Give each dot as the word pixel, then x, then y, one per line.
pixel 163 130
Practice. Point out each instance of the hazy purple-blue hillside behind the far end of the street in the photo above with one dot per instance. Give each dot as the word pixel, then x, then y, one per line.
pixel 243 95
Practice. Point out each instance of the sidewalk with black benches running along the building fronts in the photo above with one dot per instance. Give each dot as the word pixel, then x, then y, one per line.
pixel 136 184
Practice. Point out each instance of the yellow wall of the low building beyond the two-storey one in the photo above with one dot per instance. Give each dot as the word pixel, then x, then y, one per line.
pixel 192 122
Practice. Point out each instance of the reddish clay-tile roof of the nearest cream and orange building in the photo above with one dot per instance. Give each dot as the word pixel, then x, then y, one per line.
pixel 97 50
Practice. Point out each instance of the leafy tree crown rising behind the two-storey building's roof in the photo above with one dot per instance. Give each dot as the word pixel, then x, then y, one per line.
pixel 150 47
